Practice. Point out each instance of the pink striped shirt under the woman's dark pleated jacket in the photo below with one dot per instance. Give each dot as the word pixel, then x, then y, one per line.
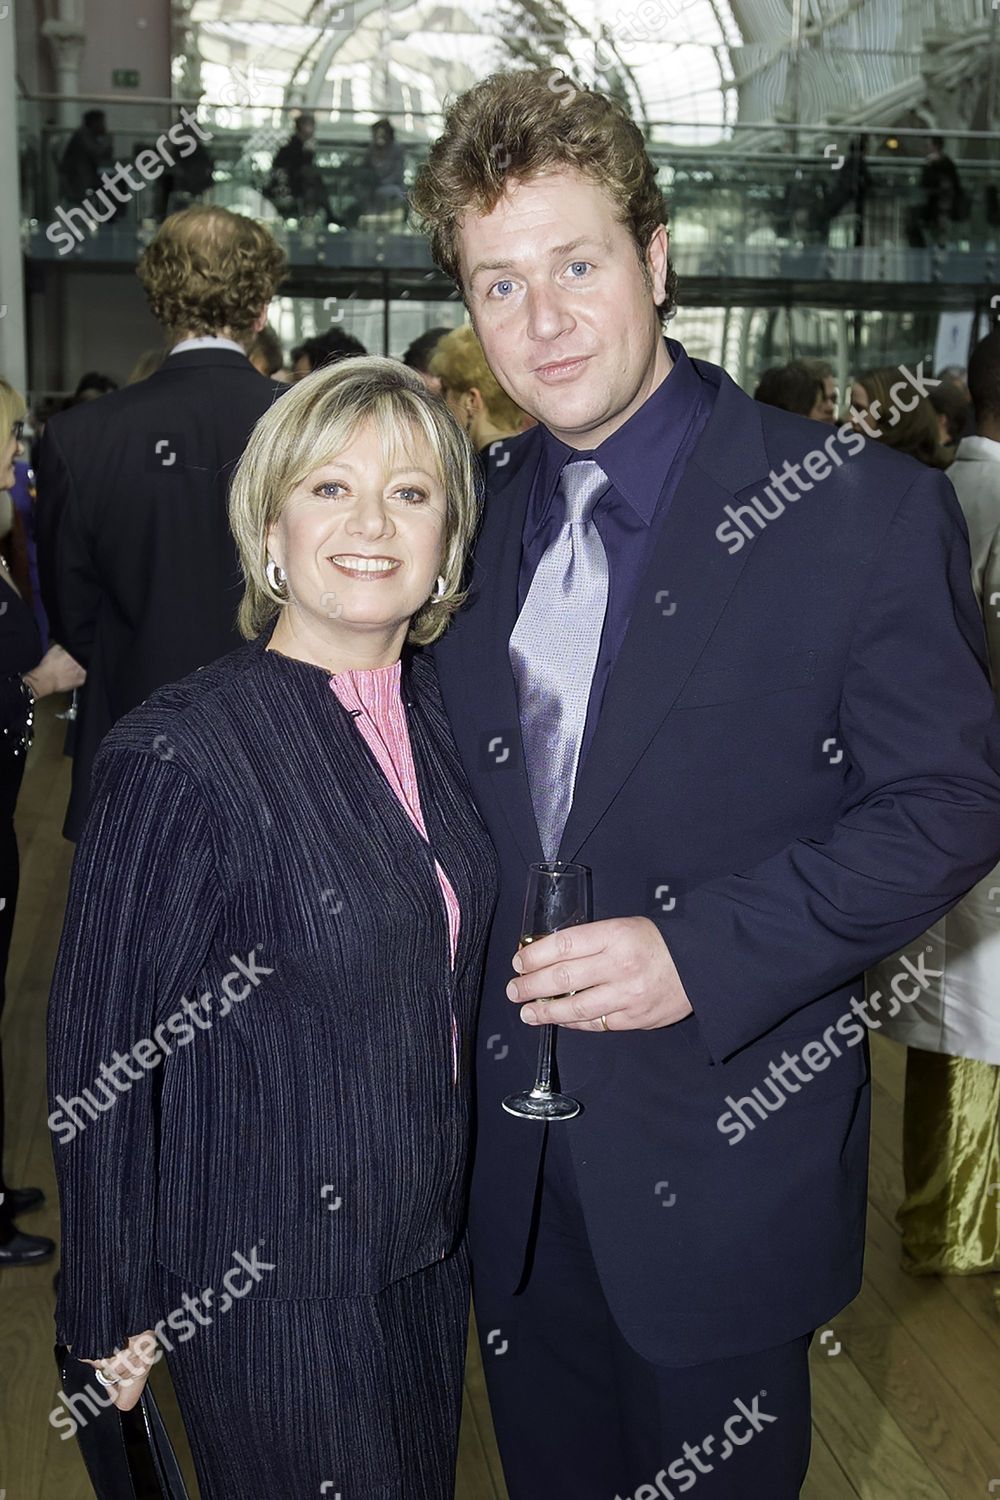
pixel 383 722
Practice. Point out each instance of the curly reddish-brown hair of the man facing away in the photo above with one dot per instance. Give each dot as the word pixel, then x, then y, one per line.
pixel 209 269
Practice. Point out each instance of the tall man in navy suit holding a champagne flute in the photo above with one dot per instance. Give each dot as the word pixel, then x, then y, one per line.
pixel 777 752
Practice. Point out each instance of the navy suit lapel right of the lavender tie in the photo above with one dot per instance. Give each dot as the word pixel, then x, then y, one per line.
pixel 683 593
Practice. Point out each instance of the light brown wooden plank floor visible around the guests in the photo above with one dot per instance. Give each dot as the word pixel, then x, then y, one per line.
pixel 906 1390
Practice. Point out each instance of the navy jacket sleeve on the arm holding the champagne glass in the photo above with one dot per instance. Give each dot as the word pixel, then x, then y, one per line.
pixel 921 821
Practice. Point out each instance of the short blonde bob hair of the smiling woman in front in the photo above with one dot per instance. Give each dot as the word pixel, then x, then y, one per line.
pixel 308 428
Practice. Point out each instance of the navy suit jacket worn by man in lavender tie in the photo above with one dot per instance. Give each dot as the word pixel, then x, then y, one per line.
pixel 794 773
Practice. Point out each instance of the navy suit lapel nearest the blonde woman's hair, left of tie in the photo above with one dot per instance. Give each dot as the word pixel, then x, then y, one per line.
pixel 490 722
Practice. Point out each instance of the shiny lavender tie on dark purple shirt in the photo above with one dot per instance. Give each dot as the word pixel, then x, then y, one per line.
pixel 554 650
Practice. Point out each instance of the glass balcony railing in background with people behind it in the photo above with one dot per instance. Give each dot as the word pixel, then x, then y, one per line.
pixel 764 188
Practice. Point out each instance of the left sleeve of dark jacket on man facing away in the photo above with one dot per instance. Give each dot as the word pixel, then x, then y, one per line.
pixel 70 584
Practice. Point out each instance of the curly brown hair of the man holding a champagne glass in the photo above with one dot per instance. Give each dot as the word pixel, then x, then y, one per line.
pixel 510 128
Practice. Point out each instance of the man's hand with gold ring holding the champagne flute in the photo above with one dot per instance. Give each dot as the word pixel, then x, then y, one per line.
pixel 618 968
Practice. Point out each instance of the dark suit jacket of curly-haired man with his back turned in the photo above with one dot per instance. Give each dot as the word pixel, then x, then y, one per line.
pixel 139 569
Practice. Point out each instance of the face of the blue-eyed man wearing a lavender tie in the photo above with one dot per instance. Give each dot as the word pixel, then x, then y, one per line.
pixel 561 307
